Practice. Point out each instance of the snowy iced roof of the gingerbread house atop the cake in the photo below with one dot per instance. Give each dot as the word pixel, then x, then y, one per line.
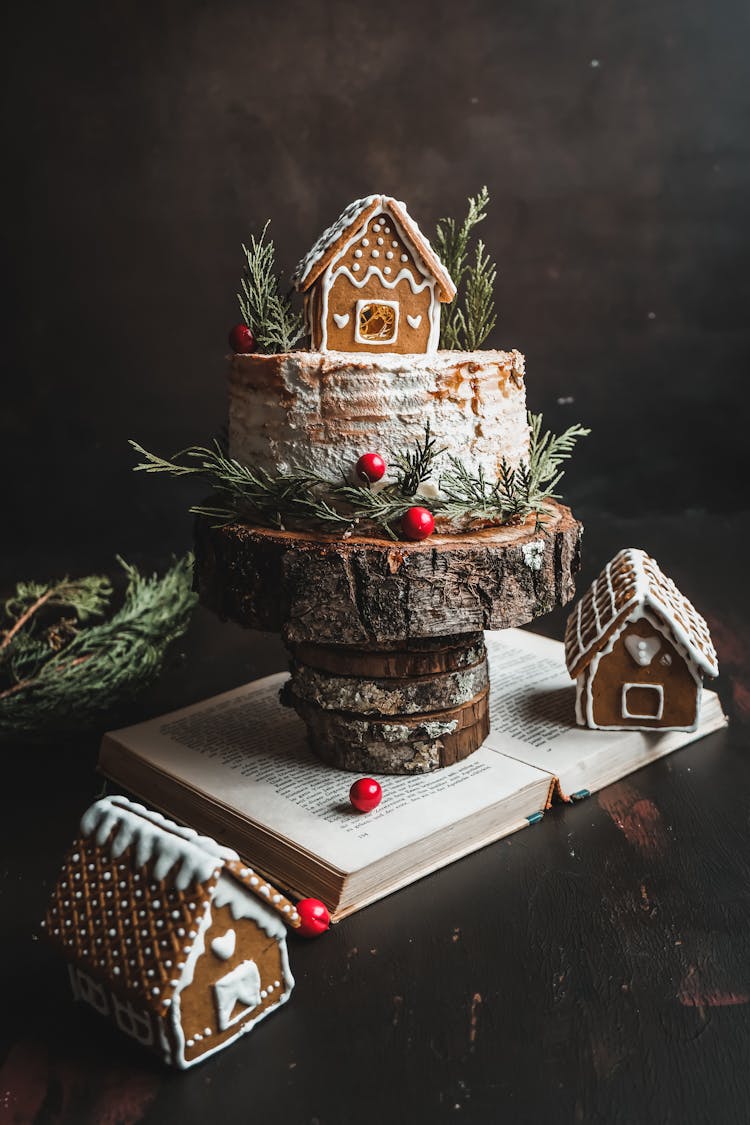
pixel 358 215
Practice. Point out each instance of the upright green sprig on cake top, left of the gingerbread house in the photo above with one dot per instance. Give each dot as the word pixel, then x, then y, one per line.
pixel 269 314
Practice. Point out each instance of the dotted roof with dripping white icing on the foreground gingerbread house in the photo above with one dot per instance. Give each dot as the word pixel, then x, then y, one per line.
pixel 134 895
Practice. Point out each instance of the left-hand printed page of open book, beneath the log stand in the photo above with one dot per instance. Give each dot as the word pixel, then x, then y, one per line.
pixel 251 755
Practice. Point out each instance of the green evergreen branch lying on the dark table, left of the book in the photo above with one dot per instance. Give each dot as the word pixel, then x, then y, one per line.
pixel 67 674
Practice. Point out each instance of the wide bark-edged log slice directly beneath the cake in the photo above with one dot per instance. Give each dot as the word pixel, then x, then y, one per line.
pixel 359 591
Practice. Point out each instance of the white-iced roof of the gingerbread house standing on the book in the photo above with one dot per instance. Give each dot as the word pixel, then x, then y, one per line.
pixel 630 584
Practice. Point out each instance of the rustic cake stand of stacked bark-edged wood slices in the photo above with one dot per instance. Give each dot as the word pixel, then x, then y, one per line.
pixel 387 653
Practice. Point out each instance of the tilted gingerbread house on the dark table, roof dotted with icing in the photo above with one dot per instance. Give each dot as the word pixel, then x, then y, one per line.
pixel 169 934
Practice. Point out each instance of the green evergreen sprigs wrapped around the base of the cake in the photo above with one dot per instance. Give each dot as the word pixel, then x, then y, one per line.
pixel 305 501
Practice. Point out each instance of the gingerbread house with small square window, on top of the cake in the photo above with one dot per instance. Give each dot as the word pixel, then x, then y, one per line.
pixel 373 283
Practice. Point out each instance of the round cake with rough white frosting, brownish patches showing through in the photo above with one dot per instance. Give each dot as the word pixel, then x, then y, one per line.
pixel 320 411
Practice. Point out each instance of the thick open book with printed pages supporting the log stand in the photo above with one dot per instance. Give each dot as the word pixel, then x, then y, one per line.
pixel 238 768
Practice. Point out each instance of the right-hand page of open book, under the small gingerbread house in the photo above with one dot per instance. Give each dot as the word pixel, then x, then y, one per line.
pixel 534 718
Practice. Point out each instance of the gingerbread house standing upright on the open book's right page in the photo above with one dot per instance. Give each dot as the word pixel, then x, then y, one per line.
pixel 638 650
